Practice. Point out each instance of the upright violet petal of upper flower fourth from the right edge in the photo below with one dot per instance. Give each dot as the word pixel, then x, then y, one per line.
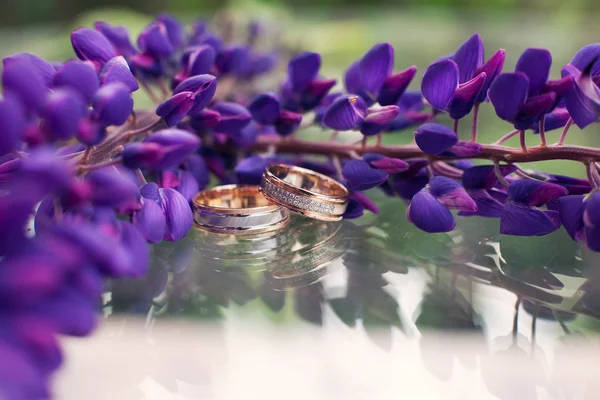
pixel 375 67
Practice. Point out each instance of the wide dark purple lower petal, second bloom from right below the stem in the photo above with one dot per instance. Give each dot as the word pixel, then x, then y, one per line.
pixel 520 220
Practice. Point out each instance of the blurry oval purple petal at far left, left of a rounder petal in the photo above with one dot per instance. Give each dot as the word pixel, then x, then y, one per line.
pixel 62 112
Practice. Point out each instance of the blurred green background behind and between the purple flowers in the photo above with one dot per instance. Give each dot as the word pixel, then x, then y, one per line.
pixel 342 30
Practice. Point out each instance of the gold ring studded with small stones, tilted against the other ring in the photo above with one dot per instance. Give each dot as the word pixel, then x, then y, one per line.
pixel 305 192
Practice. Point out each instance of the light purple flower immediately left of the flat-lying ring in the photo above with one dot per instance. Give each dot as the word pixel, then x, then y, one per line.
pixel 163 208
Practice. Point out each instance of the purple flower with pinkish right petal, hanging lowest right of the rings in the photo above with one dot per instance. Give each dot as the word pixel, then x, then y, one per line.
pixel 429 208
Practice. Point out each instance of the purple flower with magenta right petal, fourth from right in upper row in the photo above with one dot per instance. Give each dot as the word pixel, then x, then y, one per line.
pixel 371 76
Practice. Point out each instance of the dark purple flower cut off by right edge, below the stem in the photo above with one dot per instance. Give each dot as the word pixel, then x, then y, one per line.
pixel 580 216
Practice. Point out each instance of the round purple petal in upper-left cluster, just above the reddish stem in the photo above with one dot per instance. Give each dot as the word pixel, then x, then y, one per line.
pixel 113 104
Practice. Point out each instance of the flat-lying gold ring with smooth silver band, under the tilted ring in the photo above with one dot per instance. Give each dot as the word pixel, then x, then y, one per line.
pixel 237 209
